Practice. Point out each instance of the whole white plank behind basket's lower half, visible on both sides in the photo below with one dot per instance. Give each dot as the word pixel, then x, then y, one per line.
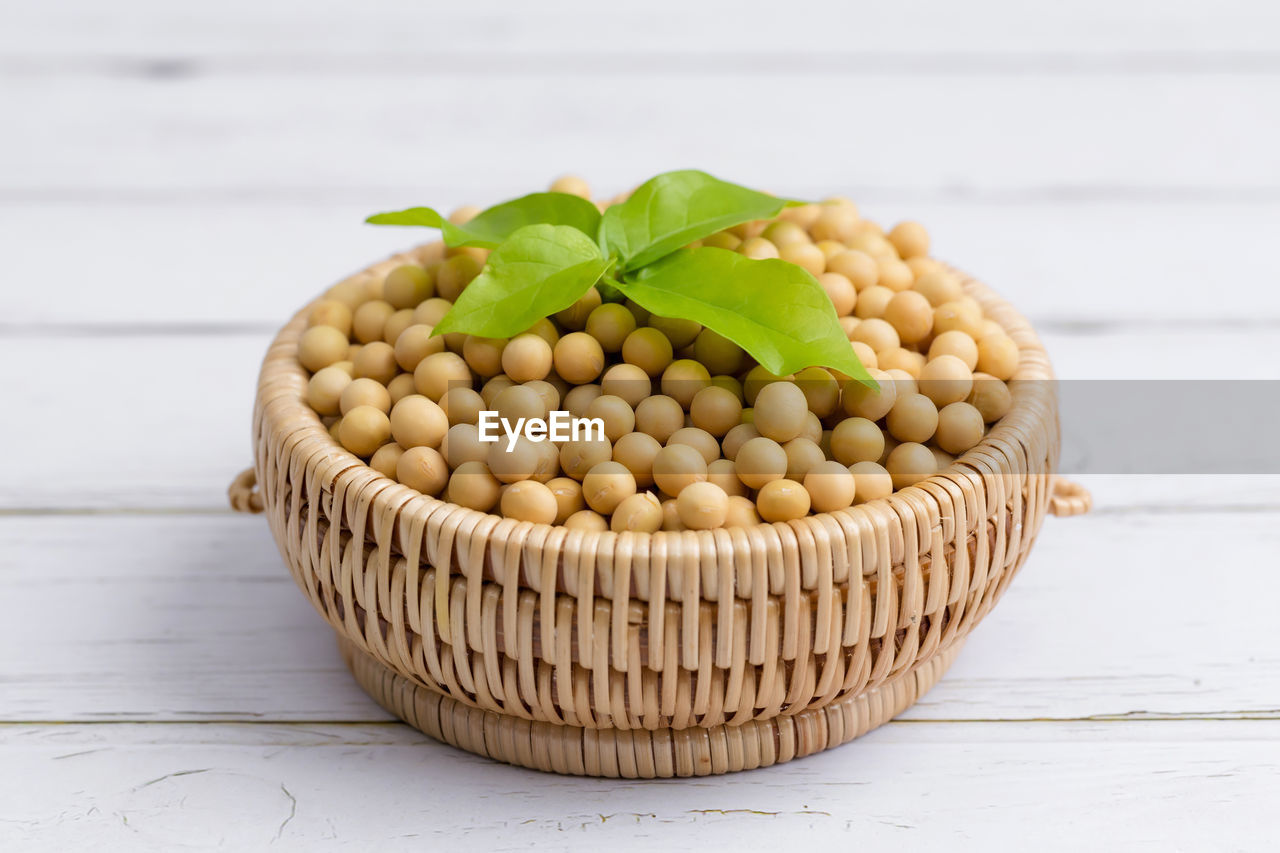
pixel 195 618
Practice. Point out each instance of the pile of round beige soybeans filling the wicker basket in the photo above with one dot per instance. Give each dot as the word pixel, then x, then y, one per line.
pixel 697 436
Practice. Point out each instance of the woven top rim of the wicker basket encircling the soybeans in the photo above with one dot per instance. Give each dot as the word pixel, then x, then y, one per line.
pixel 281 410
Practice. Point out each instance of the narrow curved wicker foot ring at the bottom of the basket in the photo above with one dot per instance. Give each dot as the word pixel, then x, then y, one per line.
pixel 641 754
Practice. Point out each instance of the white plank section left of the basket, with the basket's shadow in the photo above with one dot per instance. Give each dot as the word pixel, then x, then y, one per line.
pixel 163 618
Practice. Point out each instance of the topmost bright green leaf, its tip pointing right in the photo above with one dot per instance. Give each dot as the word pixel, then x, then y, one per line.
pixel 674 211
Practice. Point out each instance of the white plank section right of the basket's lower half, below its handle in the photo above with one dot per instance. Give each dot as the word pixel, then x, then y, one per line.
pixel 1101 624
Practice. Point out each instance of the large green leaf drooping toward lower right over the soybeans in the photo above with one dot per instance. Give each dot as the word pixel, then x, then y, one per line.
pixel 775 311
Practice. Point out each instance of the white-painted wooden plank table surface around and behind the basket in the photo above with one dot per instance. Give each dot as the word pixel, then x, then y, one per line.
pixel 177 179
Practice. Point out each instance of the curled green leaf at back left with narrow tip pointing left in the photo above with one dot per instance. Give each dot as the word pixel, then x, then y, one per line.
pixel 500 222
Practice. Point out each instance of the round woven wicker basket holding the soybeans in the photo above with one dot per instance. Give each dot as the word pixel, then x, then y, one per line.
pixel 651 655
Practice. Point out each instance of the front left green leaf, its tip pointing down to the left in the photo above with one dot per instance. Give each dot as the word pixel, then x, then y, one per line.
pixel 534 273
